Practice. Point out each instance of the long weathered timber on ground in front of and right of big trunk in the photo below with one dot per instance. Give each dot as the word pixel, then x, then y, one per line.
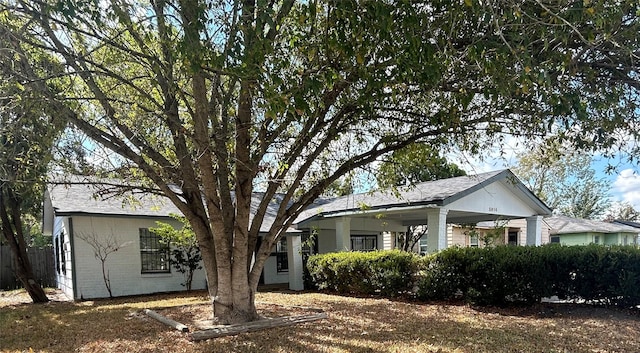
pixel 230 330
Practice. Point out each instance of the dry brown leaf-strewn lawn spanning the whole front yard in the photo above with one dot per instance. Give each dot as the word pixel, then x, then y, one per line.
pixel 354 325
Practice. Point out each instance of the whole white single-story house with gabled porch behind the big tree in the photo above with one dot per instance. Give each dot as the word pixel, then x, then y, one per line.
pixel 363 222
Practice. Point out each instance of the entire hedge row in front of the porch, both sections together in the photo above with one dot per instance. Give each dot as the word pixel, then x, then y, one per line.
pixel 488 276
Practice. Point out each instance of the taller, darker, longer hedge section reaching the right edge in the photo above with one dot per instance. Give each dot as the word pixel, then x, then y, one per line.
pixel 507 274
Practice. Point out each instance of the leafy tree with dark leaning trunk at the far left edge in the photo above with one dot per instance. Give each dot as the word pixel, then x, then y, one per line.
pixel 28 130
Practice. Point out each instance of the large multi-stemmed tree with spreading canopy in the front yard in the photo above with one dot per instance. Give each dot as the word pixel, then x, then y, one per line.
pixel 209 101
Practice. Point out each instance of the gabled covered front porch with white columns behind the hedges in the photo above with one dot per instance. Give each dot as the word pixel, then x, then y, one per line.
pixel 361 221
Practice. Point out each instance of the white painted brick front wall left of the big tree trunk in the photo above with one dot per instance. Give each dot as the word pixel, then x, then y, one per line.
pixel 124 265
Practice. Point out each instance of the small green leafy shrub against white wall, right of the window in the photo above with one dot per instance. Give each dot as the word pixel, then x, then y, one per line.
pixel 185 255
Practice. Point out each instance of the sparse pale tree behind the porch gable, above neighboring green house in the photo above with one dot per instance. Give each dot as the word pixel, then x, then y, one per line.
pixel 564 180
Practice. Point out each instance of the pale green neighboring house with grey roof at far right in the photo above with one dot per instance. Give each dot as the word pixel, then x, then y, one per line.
pixel 574 231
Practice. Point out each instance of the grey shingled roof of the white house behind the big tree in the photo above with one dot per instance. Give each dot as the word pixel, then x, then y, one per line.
pixel 84 199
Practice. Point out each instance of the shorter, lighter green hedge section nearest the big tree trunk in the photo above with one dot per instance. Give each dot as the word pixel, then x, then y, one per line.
pixel 388 273
